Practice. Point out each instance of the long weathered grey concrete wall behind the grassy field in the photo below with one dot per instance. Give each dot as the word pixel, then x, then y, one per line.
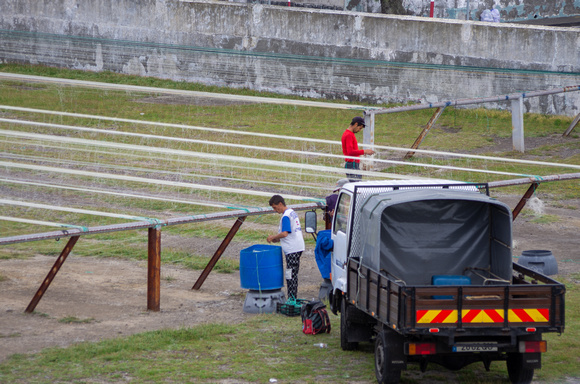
pixel 300 51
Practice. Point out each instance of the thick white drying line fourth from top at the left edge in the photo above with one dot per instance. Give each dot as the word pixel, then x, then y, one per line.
pixel 213 156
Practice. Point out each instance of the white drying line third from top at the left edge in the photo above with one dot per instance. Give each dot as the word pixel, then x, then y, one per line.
pixel 286 151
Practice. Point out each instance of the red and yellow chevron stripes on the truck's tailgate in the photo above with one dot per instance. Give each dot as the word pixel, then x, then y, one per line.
pixel 449 316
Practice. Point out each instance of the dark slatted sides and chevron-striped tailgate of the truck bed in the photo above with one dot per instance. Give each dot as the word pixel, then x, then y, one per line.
pixel 531 300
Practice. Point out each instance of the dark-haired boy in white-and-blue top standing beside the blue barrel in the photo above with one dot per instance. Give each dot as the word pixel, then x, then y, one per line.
pixel 292 242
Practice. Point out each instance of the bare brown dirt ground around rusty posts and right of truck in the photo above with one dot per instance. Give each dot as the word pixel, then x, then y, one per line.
pixel 111 294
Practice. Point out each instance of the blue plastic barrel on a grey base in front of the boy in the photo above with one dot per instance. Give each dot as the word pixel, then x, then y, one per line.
pixel 261 267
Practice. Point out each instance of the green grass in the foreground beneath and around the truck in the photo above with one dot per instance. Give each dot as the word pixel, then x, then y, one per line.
pixel 261 348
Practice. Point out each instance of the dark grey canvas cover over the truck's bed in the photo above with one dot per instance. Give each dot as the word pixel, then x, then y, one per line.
pixel 415 234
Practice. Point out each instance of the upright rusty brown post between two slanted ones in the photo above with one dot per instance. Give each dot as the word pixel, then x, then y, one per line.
pixel 154 269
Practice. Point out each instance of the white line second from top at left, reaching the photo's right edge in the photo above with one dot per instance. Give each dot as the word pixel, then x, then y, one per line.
pixel 310 140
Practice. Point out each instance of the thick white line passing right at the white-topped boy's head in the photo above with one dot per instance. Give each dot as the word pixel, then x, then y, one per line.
pixel 148 181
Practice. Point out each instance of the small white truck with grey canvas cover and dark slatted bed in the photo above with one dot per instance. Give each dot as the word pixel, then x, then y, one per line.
pixel 424 270
